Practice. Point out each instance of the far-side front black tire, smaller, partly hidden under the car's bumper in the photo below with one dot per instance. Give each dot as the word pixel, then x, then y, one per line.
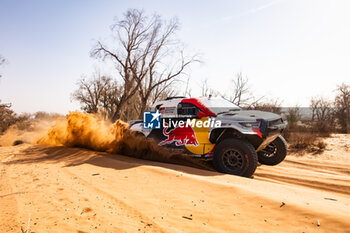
pixel 274 153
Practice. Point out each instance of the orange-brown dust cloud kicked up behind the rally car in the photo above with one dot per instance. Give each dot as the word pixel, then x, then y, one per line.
pixel 90 131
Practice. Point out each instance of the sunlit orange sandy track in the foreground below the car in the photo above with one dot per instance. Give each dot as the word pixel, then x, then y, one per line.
pixel 76 190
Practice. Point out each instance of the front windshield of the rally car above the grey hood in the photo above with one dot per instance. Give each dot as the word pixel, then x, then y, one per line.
pixel 218 105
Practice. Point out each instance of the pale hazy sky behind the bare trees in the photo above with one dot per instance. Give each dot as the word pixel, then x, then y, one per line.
pixel 289 49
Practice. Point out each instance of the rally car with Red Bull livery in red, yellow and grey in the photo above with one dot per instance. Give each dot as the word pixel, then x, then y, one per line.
pixel 214 128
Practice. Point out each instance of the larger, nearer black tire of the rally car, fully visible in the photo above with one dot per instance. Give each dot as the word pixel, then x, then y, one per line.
pixel 236 157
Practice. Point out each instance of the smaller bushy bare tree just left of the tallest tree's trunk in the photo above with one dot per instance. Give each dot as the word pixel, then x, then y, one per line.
pixel 97 92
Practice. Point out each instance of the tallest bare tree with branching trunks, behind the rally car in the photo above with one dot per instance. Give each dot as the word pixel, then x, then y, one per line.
pixel 141 43
